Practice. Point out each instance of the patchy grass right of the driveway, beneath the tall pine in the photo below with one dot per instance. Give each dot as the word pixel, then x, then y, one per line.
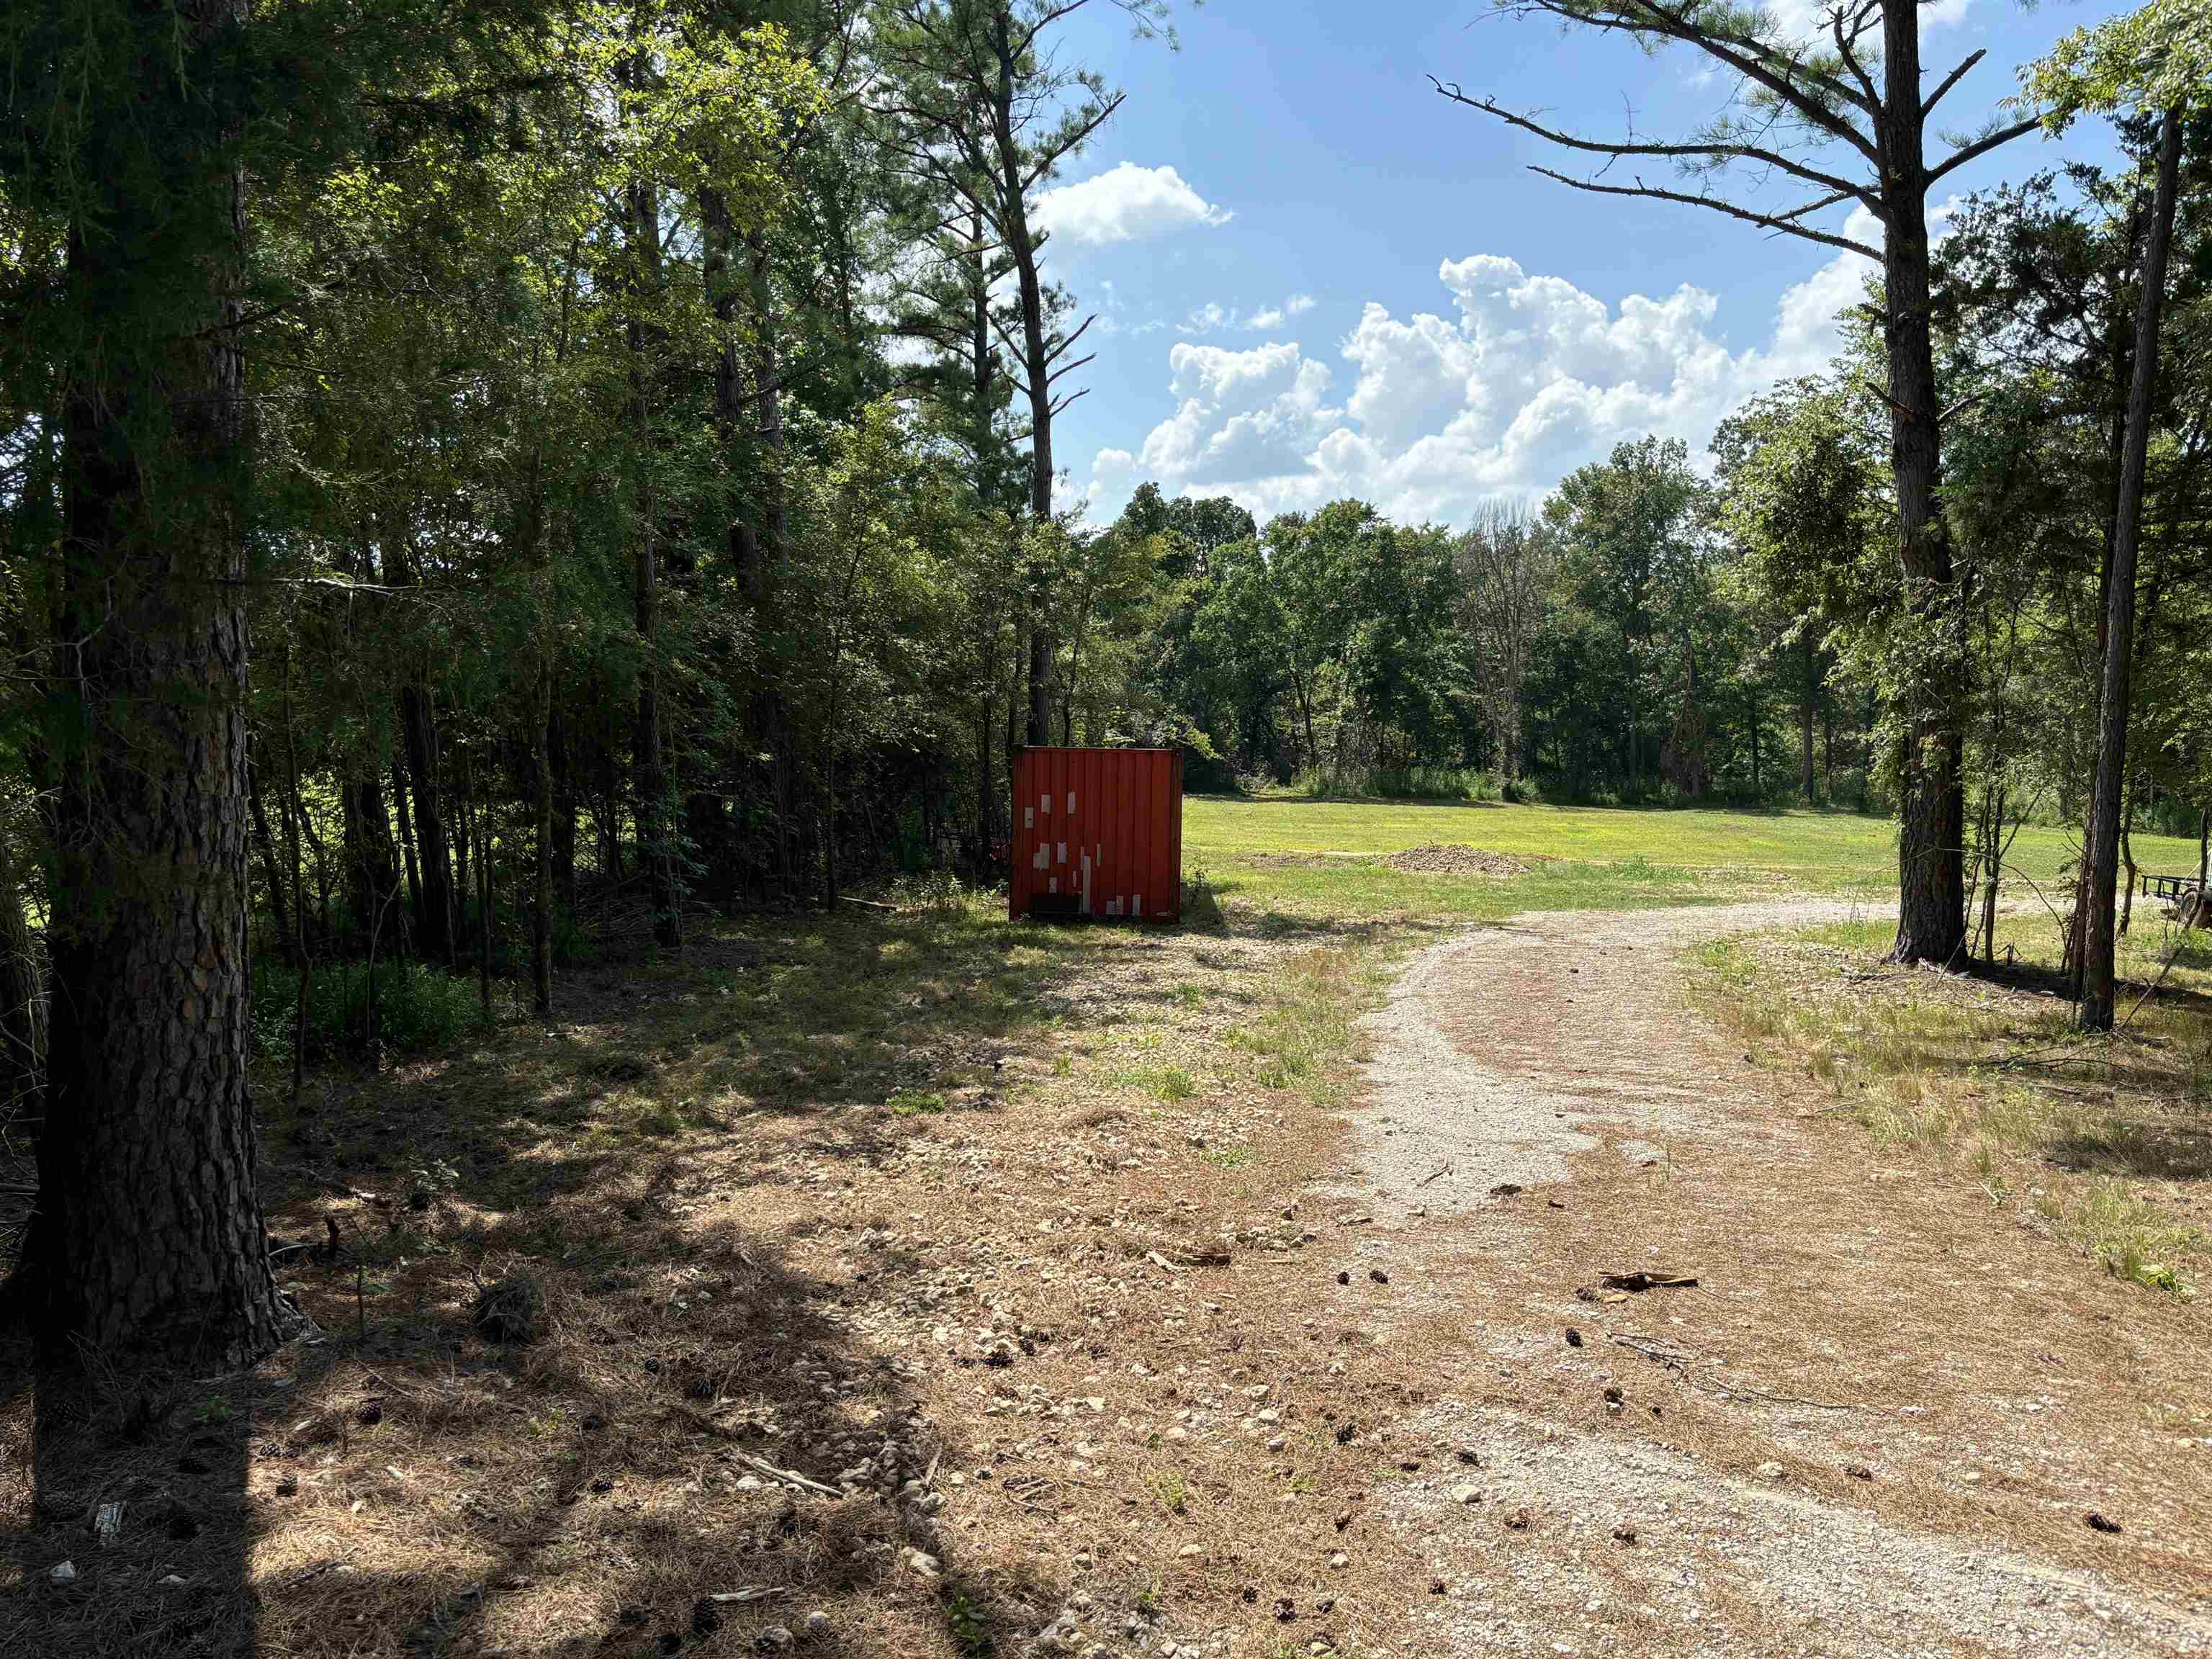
pixel 2107 1140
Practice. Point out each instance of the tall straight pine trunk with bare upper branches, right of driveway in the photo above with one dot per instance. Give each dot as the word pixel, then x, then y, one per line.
pixel 1932 877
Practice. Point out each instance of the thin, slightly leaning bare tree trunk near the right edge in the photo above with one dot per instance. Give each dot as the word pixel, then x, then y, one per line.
pixel 2107 831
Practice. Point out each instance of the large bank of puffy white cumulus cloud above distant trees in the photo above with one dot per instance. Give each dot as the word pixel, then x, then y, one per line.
pixel 1523 382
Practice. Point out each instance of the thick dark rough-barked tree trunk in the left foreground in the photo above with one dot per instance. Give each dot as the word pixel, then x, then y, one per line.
pixel 149 1229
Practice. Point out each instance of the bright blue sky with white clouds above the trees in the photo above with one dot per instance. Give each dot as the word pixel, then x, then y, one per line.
pixel 1317 278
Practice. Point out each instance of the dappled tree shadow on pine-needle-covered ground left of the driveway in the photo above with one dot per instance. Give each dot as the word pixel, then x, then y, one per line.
pixel 408 1483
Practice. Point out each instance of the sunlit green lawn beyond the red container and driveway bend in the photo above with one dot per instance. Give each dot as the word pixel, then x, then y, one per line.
pixel 1328 857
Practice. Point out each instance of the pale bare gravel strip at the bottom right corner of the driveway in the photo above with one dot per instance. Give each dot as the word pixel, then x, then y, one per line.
pixel 1726 1567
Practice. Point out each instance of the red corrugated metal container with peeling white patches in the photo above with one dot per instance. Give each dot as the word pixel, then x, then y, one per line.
pixel 1098 833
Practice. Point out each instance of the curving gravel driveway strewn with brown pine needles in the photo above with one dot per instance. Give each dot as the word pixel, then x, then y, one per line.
pixel 1877 1426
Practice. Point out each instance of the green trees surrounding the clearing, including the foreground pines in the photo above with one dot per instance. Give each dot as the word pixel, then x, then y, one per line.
pixel 492 486
